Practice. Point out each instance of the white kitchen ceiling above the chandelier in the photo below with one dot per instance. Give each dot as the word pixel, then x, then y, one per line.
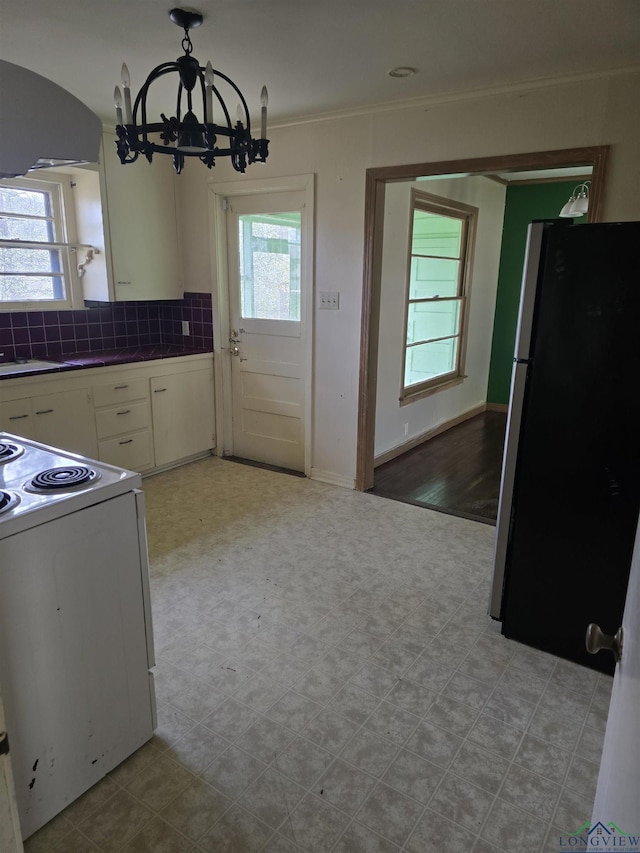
pixel 323 56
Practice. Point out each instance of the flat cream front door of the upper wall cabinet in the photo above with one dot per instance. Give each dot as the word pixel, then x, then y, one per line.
pixel 142 227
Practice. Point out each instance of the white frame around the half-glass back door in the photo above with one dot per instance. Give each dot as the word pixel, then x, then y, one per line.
pixel 218 192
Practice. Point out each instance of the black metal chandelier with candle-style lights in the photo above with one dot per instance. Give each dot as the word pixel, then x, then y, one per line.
pixel 184 135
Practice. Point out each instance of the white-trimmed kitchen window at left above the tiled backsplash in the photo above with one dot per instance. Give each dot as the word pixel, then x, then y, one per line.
pixel 37 244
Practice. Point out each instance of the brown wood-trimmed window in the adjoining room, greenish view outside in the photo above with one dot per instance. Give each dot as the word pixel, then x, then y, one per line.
pixel 437 293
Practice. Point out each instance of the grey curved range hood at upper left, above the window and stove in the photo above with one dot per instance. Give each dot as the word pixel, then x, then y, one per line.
pixel 41 124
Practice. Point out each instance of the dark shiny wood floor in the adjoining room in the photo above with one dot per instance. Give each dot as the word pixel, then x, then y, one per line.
pixel 457 472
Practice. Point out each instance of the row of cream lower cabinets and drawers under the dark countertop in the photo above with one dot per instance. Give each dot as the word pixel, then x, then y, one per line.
pixel 136 416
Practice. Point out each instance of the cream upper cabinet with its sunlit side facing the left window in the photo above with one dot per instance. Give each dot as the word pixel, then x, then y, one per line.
pixel 141 252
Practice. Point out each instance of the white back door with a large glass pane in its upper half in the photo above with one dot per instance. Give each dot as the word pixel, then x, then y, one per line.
pixel 266 346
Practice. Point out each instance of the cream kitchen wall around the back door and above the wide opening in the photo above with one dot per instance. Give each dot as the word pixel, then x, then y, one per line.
pixel 592 111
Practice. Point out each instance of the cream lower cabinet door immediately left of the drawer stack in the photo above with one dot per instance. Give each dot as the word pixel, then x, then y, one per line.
pixel 64 420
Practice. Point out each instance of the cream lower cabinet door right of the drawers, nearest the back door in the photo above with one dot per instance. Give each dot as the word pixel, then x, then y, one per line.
pixel 182 411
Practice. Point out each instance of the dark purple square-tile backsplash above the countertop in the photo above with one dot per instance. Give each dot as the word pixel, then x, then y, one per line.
pixel 105 326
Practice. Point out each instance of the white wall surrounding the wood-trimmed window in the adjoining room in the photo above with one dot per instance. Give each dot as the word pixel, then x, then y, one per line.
pixel 423 415
